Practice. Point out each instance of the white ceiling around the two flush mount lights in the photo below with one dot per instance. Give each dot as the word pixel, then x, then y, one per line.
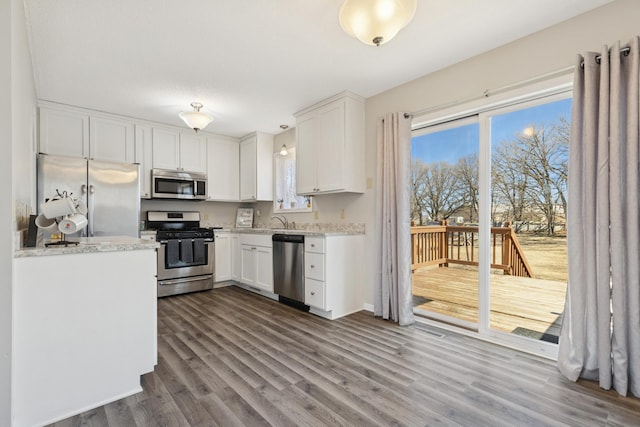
pixel 252 63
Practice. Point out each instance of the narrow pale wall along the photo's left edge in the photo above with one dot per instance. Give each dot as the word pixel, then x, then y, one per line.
pixel 17 106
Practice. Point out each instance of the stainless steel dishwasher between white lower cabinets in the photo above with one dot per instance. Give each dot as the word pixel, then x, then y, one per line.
pixel 288 269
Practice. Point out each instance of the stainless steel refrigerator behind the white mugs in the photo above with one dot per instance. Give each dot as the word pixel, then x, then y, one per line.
pixel 111 191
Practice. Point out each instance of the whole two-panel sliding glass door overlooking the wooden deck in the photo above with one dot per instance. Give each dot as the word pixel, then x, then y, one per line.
pixel 489 232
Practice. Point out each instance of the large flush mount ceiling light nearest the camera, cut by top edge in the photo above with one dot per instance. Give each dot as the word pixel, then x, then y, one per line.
pixel 376 22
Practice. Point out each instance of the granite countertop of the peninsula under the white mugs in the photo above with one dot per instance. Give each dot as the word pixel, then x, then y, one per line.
pixel 90 245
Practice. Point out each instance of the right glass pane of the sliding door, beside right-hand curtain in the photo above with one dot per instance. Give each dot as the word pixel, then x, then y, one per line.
pixel 528 203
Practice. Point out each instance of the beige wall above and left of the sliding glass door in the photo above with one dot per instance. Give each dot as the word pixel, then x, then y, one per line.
pixel 541 53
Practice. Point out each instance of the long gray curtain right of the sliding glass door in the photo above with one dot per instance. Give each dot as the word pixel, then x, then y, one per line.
pixel 600 337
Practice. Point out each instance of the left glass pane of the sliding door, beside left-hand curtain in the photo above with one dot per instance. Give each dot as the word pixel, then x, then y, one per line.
pixel 444 208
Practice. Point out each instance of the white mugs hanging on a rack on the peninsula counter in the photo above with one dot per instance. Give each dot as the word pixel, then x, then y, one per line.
pixel 64 213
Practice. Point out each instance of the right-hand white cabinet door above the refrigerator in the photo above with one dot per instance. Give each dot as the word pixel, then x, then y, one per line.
pixel 111 140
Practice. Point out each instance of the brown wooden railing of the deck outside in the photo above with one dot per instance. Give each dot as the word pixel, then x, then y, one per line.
pixel 444 244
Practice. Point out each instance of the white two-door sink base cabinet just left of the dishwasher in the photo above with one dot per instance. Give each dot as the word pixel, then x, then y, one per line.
pixel 256 254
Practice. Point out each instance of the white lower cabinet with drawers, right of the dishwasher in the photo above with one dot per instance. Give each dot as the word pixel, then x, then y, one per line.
pixel 334 276
